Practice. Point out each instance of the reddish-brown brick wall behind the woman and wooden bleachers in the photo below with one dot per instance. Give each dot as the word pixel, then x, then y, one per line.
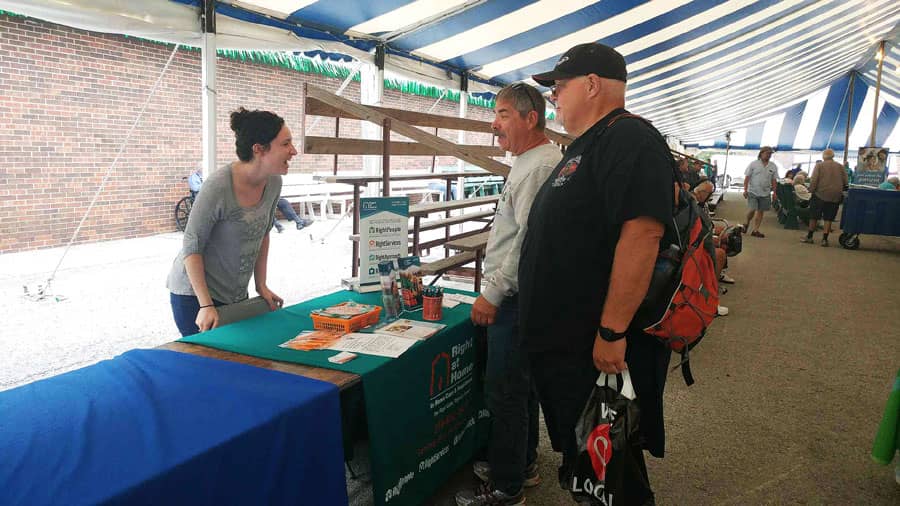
pixel 68 99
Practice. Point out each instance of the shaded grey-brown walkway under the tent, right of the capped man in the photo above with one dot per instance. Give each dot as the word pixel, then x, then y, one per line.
pixel 790 386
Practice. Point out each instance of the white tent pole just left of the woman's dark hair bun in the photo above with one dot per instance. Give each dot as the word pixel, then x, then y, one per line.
pixel 208 82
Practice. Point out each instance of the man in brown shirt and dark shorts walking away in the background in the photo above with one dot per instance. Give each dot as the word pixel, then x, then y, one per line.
pixel 829 180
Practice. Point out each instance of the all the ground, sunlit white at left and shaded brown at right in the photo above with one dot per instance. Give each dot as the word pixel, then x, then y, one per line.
pixel 790 386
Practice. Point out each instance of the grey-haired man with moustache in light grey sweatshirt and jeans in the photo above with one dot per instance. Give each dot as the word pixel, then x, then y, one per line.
pixel 510 393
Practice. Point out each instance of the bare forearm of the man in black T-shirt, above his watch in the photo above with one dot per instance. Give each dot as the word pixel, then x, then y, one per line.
pixel 635 257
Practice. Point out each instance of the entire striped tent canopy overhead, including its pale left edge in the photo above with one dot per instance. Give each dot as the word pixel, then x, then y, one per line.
pixel 697 68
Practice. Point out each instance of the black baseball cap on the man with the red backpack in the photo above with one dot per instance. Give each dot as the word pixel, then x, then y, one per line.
pixel 584 59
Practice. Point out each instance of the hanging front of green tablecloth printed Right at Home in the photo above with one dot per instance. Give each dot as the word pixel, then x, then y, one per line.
pixel 426 412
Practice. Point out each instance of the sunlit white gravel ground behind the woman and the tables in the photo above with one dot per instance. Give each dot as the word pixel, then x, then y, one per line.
pixel 111 296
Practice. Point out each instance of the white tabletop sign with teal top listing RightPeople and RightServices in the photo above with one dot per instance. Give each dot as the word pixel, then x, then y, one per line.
pixel 383 234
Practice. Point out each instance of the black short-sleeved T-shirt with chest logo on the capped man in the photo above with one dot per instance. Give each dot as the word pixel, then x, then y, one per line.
pixel 607 177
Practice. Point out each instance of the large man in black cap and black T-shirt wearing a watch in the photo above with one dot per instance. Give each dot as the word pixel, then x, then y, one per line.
pixel 593 237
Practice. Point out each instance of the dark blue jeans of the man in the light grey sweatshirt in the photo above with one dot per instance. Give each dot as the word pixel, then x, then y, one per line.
pixel 512 400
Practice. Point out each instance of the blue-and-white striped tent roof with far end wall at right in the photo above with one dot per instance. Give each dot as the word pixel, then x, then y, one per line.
pixel 697 68
